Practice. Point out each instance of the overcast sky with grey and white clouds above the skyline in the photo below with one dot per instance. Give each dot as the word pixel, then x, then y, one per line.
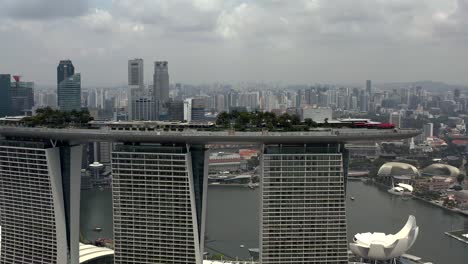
pixel 291 41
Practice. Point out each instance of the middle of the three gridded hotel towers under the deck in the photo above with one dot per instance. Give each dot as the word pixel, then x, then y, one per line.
pixel 158 197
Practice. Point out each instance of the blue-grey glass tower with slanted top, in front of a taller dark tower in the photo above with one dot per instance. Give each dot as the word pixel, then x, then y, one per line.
pixel 69 93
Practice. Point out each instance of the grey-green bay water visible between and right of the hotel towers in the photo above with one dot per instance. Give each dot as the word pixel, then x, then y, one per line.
pixel 233 220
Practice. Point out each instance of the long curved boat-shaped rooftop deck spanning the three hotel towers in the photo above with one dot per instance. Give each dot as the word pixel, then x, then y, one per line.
pixel 344 135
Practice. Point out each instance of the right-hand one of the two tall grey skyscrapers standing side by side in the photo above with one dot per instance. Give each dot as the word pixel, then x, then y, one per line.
pixel 160 86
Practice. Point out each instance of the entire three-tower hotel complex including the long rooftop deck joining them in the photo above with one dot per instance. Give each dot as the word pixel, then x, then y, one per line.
pixel 159 191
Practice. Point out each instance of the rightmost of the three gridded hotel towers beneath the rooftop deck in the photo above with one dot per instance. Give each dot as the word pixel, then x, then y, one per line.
pixel 303 217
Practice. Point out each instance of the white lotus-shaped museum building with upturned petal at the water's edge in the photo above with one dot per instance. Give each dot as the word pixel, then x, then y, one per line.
pixel 379 246
